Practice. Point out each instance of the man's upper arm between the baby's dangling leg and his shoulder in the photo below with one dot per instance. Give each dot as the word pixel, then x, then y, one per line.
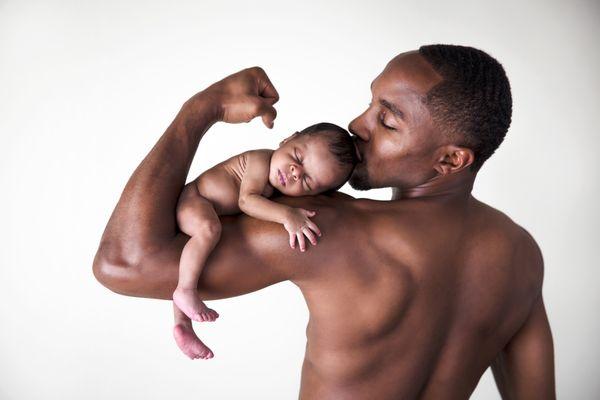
pixel 253 254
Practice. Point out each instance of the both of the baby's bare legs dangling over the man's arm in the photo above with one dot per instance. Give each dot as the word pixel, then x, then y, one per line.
pixel 196 217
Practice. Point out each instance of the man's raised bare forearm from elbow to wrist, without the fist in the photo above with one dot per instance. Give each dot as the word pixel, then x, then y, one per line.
pixel 143 218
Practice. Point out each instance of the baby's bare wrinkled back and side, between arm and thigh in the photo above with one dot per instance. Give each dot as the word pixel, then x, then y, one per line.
pixel 221 184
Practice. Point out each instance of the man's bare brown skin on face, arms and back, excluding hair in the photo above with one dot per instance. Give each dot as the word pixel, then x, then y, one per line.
pixel 409 298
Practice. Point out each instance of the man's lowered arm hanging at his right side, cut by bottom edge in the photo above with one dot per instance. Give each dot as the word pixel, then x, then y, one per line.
pixel 525 368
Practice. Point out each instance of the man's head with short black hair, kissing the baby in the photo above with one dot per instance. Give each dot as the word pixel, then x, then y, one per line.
pixel 436 111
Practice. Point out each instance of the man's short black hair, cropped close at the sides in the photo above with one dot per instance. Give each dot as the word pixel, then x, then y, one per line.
pixel 473 101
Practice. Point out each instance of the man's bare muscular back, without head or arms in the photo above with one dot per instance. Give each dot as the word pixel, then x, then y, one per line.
pixel 419 300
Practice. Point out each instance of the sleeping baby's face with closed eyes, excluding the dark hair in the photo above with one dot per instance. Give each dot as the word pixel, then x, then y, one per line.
pixel 303 166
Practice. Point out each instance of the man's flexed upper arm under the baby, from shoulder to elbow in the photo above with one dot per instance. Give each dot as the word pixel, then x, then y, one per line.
pixel 251 254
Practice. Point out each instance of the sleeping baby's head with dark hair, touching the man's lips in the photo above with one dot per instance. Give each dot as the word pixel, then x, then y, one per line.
pixel 317 159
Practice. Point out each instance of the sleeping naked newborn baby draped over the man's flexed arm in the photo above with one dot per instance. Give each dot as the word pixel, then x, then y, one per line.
pixel 312 161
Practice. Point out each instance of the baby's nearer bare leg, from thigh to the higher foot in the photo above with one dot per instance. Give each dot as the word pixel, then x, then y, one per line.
pixel 196 217
